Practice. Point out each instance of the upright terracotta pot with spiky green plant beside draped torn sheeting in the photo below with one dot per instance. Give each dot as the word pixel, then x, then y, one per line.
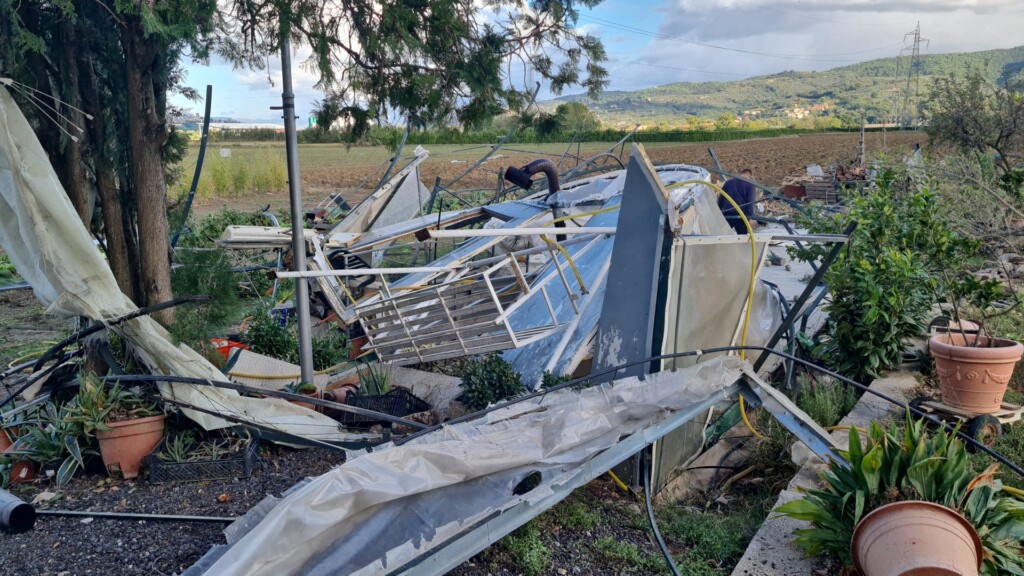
pixel 127 427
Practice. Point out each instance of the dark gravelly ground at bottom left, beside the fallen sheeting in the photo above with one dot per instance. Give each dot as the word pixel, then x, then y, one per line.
pixel 73 547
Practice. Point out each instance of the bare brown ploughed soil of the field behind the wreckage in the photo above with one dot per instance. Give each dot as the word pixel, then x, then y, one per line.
pixel 770 159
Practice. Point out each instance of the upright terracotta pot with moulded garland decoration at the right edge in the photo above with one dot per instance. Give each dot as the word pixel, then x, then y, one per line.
pixel 974 379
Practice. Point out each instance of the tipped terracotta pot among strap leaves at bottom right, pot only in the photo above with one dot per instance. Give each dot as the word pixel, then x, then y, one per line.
pixel 916 539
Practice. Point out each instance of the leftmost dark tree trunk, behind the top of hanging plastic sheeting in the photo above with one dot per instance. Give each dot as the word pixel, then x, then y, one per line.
pixel 75 183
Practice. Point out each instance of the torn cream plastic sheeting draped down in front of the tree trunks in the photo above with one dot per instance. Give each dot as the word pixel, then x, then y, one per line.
pixel 45 238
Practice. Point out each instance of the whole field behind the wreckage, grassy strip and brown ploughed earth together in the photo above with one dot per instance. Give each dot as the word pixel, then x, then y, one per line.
pixel 355 172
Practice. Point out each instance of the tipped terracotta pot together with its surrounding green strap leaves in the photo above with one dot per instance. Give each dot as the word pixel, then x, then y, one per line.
pixel 907 491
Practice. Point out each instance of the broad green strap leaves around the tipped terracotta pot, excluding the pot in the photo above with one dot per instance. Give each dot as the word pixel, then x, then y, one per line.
pixel 912 465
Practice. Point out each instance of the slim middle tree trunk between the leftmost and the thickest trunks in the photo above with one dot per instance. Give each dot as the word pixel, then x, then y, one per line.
pixel 107 184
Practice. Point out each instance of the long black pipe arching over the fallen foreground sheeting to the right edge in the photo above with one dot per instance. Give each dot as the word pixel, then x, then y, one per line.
pixel 982 447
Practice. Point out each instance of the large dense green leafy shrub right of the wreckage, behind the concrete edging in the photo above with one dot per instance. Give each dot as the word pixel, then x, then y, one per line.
pixel 884 283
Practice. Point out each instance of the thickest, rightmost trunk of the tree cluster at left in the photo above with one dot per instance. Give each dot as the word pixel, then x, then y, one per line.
pixel 147 135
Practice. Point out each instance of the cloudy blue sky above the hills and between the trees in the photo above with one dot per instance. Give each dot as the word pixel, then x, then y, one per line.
pixel 651 44
